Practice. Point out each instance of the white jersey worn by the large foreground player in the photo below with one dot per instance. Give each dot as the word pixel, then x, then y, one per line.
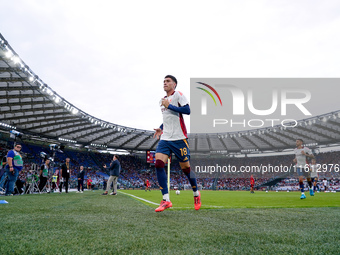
pixel 173 122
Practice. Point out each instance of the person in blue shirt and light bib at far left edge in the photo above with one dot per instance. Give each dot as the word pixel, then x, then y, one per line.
pixel 13 167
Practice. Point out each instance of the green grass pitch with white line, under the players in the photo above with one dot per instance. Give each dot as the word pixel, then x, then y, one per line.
pixel 229 222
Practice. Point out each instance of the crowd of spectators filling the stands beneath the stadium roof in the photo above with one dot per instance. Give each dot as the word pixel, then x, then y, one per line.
pixel 135 170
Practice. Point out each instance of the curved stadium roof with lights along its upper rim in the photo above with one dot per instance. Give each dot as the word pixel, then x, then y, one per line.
pixel 30 106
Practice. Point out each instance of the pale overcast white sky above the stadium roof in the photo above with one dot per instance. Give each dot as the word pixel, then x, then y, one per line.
pixel 109 58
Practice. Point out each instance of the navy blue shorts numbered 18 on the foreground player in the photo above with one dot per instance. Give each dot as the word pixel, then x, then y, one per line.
pixel 179 147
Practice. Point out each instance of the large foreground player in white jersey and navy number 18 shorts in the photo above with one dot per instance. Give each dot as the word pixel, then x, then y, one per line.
pixel 173 138
